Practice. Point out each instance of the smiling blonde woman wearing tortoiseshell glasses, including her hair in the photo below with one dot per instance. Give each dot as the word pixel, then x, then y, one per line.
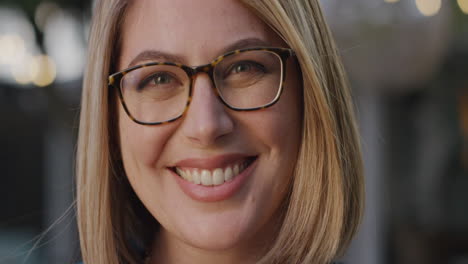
pixel 251 157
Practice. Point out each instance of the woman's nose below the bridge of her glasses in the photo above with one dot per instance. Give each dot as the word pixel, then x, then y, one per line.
pixel 206 120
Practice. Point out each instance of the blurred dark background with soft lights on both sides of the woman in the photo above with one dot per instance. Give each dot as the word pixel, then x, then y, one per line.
pixel 408 65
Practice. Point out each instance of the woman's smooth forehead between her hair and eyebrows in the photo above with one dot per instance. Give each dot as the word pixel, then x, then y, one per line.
pixel 194 30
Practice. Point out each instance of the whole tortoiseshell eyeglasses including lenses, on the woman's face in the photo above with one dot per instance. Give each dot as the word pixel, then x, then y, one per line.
pixel 244 80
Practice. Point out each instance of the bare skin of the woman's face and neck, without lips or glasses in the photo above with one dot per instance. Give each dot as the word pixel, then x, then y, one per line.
pixel 237 229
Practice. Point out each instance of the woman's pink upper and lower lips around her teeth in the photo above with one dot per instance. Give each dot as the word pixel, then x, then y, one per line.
pixel 213 193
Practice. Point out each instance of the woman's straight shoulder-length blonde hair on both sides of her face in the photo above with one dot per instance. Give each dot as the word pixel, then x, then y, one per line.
pixel 325 204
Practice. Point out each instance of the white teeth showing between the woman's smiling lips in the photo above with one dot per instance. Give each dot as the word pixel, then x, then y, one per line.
pixel 216 176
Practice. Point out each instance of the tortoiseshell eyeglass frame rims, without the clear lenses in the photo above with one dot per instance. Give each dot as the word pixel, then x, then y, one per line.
pixel 283 54
